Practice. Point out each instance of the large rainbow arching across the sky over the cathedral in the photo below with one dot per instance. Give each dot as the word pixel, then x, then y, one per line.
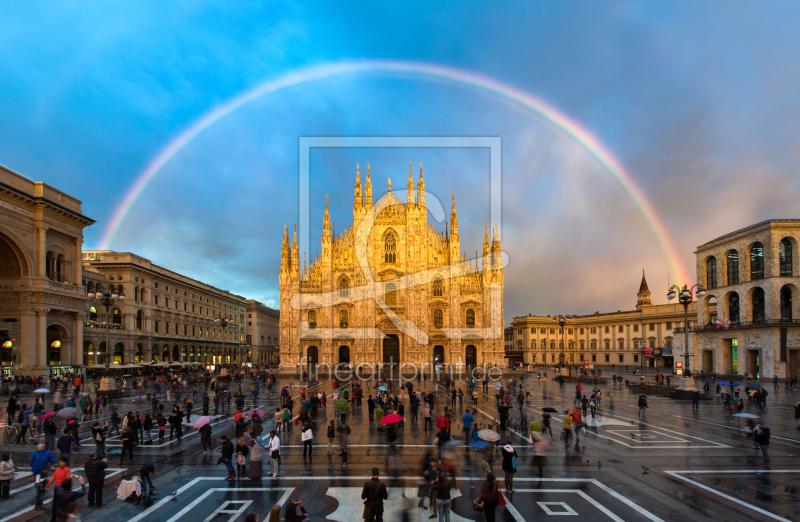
pixel 556 118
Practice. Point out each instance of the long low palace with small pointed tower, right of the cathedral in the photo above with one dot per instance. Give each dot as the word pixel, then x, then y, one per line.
pixel 643 336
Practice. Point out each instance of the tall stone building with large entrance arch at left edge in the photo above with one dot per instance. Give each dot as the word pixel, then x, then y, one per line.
pixel 41 300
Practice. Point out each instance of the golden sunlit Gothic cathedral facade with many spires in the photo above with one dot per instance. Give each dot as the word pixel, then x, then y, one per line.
pixel 391 289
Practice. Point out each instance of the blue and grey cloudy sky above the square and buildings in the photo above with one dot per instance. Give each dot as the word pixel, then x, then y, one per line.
pixel 699 100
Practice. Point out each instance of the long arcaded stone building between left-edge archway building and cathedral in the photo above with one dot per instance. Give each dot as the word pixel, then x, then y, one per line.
pixel 166 317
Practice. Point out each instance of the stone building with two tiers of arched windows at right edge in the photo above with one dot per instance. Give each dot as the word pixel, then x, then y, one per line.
pixel 747 323
